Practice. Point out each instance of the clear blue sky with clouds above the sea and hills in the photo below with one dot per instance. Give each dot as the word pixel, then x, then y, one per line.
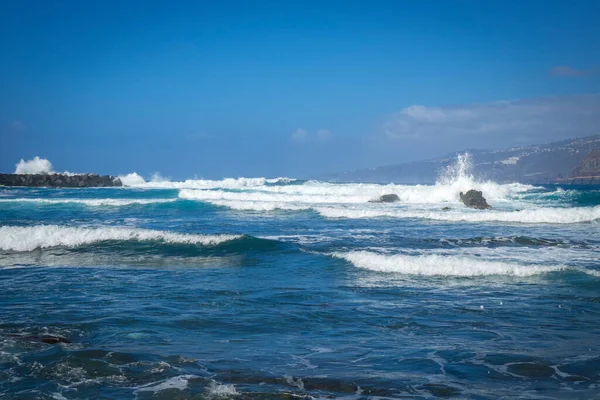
pixel 270 88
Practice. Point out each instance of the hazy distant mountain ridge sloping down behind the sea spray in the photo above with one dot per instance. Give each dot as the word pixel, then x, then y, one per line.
pixel 545 163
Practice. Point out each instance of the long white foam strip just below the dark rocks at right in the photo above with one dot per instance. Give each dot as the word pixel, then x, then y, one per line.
pixel 547 215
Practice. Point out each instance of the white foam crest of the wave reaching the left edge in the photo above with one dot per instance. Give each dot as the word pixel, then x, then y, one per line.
pixel 43 236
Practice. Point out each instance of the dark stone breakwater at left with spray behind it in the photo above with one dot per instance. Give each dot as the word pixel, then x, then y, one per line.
pixel 59 180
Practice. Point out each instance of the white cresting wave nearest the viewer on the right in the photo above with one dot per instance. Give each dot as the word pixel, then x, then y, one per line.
pixel 444 265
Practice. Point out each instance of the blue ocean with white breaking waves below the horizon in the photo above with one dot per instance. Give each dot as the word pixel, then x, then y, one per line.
pixel 255 288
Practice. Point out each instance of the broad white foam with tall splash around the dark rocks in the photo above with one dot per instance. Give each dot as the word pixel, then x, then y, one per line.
pixel 254 194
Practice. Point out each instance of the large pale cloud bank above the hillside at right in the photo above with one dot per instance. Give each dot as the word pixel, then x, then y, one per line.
pixel 509 122
